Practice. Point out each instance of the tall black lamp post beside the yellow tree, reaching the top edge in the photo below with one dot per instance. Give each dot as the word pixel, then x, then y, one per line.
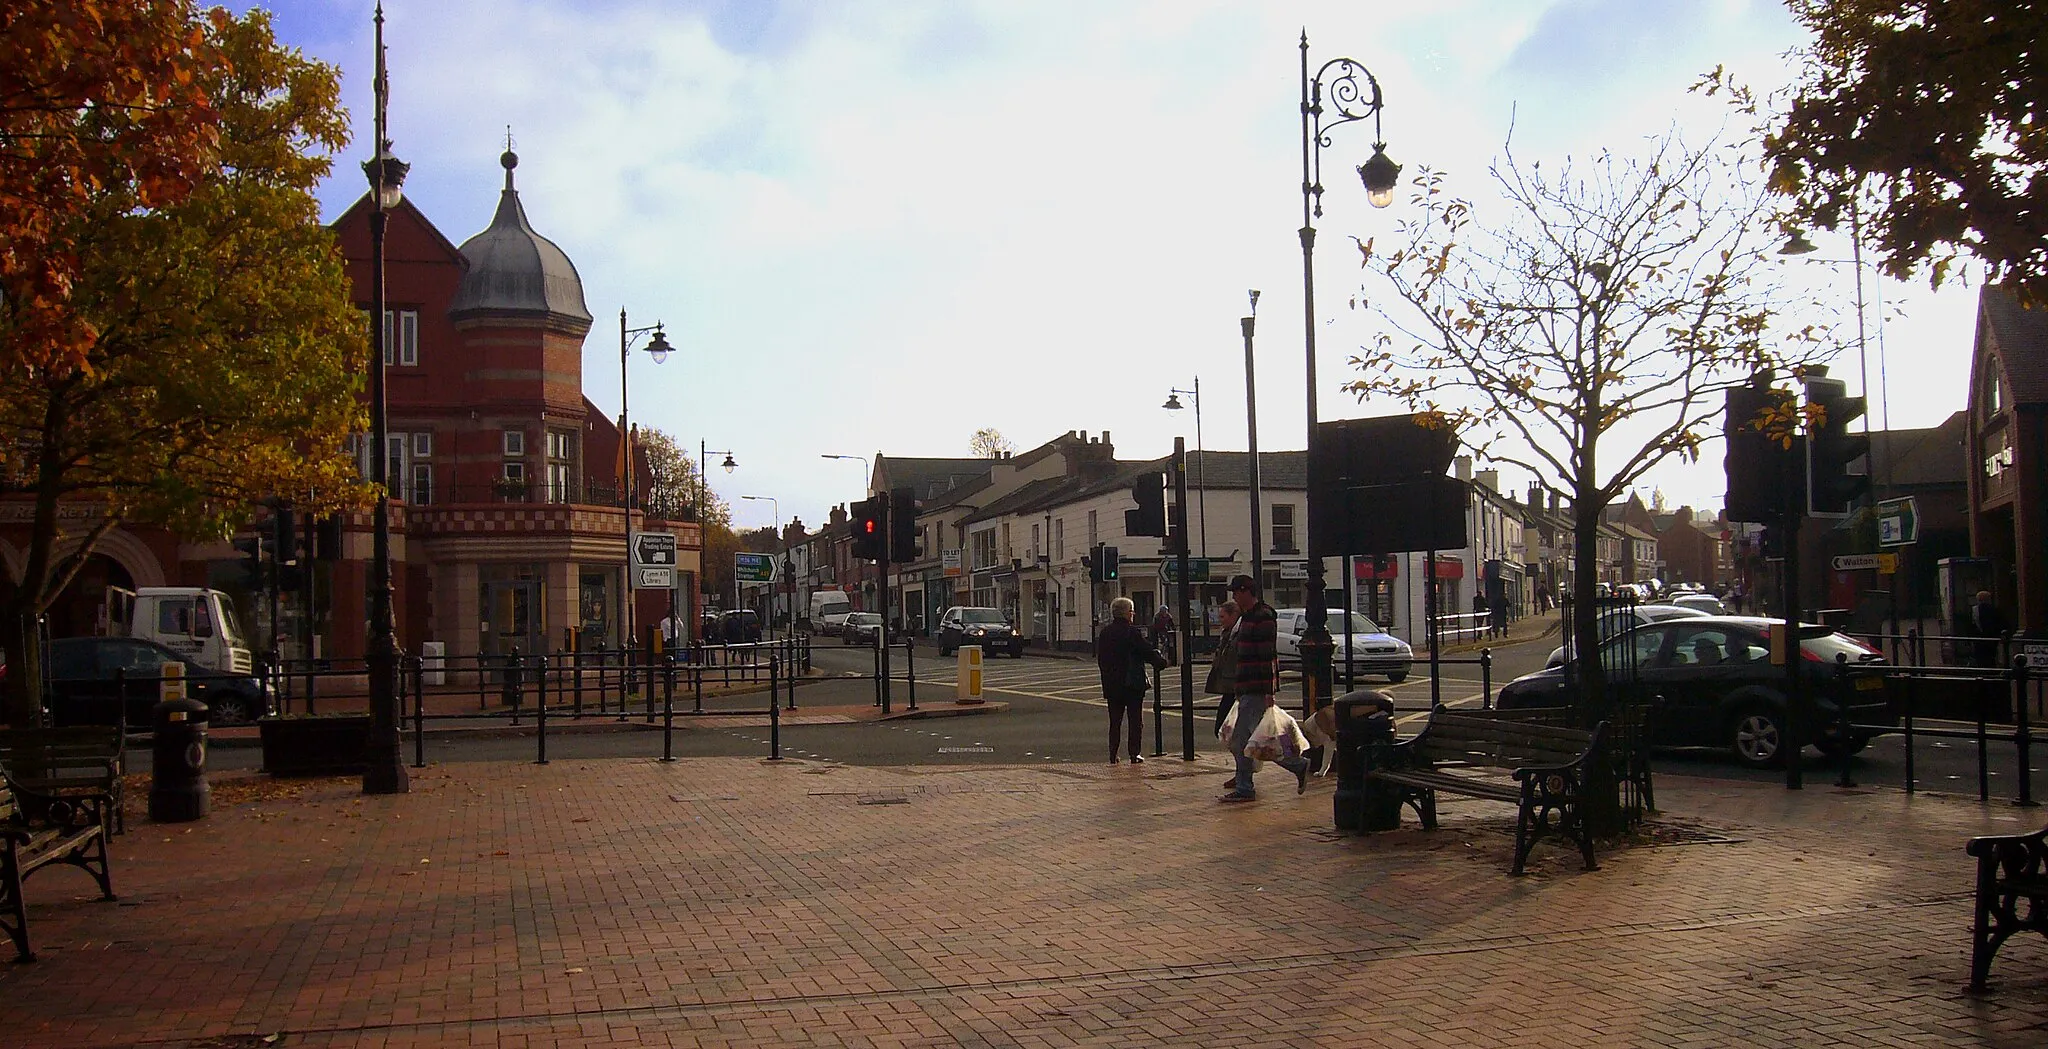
pixel 384 771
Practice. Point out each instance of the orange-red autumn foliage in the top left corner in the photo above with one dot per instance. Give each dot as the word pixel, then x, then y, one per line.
pixel 97 99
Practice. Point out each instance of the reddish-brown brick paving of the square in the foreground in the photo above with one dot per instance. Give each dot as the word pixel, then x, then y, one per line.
pixel 724 903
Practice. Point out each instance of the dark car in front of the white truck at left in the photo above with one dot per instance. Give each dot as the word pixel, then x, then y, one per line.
pixel 103 681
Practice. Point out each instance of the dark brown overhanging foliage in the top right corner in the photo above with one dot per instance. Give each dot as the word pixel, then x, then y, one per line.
pixel 1924 124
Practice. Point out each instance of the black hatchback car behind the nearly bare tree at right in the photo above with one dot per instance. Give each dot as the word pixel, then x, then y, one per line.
pixel 1713 683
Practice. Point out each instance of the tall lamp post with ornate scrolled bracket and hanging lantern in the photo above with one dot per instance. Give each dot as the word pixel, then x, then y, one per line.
pixel 1353 95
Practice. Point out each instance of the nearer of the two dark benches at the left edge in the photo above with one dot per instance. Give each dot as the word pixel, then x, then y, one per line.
pixel 38 831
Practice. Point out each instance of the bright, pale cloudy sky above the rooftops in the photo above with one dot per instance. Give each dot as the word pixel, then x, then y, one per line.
pixel 876 226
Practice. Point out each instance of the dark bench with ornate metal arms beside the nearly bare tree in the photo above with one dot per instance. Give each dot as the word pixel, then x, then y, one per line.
pixel 1459 753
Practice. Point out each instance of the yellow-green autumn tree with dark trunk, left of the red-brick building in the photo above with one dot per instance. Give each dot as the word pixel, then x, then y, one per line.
pixel 224 358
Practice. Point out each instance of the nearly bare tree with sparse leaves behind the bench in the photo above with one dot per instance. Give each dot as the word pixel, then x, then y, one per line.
pixel 1586 327
